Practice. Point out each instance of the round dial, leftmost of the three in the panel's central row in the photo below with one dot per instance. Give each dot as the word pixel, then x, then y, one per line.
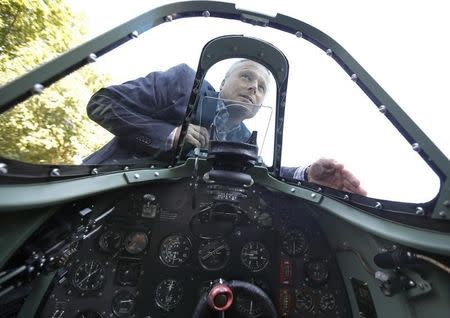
pixel 175 250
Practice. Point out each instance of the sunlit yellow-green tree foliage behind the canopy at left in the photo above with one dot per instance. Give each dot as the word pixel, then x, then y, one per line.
pixel 51 127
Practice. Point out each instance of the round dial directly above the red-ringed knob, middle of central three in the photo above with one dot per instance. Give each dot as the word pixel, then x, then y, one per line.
pixel 214 255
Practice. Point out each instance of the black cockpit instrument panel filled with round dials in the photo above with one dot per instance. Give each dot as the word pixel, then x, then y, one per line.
pixel 141 264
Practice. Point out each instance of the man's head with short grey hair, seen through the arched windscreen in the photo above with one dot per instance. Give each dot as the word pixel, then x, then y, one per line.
pixel 246 83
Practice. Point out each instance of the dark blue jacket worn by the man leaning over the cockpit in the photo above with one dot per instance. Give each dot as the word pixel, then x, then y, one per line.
pixel 142 113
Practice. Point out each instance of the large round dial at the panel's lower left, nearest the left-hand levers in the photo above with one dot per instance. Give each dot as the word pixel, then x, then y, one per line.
pixel 89 276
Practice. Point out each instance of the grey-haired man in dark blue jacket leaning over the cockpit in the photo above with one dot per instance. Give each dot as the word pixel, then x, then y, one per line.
pixel 146 114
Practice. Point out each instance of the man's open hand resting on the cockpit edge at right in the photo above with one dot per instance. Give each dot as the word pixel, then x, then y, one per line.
pixel 330 173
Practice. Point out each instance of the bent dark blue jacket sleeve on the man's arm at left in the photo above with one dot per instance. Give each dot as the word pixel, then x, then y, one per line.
pixel 144 111
